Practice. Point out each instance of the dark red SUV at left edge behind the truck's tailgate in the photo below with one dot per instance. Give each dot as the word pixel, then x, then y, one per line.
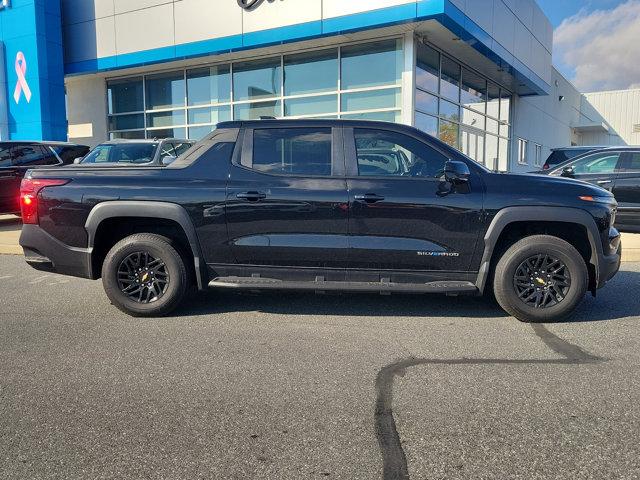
pixel 18 157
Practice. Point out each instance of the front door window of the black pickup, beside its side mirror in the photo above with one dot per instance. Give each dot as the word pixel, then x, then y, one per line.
pixel 384 153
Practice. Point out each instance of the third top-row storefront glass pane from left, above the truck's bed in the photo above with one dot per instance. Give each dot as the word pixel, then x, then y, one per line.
pixel 209 85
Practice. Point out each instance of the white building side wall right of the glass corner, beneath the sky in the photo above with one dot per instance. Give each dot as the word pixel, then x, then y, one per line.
pixel 551 122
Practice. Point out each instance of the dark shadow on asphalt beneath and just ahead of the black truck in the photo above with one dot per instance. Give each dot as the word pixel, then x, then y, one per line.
pixel 613 302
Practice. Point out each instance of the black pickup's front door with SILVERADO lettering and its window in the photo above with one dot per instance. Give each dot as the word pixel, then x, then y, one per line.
pixel 404 216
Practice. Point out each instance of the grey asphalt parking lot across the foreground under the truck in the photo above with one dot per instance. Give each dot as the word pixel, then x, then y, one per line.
pixel 291 386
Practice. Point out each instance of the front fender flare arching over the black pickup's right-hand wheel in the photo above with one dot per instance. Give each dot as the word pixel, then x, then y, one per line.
pixel 538 214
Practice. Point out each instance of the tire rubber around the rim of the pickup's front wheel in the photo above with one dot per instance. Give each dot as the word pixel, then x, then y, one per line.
pixel 506 292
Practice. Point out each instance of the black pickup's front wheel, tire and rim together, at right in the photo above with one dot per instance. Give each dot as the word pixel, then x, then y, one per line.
pixel 555 295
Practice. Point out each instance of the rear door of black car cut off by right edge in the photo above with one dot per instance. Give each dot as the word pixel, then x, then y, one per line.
pixel 627 193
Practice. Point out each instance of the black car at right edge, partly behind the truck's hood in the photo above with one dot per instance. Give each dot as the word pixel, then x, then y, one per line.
pixel 616 169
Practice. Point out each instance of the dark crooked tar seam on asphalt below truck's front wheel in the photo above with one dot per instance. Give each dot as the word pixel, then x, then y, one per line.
pixel 394 460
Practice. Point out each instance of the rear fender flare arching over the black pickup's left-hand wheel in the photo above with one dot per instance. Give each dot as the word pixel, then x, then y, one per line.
pixel 161 210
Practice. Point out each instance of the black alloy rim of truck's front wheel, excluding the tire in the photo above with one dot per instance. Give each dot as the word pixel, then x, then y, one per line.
pixel 542 281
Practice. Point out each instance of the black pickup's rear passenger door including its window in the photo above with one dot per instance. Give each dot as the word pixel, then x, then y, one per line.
pixel 287 200
